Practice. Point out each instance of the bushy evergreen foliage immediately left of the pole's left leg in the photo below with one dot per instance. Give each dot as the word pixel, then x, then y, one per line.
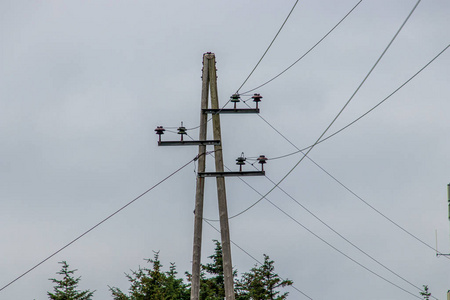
pixel 153 284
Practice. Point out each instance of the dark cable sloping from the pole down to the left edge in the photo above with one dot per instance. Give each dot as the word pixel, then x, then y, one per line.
pixel 99 223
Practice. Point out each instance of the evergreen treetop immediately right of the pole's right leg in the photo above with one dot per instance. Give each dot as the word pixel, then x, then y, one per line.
pixel 261 283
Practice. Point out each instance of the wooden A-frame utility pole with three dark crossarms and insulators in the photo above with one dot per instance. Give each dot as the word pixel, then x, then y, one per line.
pixel 209 88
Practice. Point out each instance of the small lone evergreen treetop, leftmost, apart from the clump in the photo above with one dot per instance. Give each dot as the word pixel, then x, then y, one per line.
pixel 66 288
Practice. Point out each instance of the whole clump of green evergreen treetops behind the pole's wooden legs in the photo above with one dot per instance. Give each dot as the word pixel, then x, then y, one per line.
pixel 153 284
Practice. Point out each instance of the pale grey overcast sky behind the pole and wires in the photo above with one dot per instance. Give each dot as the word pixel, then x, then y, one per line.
pixel 83 85
